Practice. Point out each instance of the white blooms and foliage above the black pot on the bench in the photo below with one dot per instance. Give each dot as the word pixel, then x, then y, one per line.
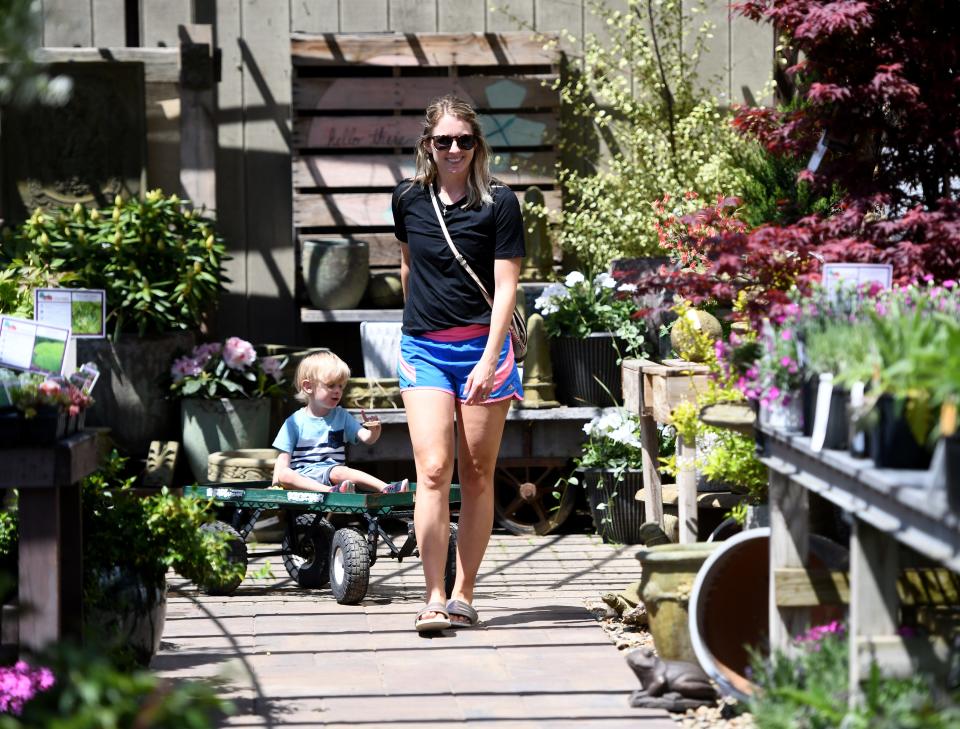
pixel 577 307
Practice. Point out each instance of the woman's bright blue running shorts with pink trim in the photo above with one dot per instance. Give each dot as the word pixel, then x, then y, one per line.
pixel 443 361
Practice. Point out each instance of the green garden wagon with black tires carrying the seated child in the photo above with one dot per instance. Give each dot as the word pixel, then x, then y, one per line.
pixel 329 538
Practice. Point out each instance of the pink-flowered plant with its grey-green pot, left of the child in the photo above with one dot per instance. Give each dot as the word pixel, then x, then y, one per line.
pixel 225 391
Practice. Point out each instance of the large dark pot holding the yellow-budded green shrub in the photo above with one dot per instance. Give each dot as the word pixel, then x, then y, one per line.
pixel 130 397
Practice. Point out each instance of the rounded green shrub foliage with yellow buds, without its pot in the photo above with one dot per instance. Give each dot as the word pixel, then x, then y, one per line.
pixel 158 260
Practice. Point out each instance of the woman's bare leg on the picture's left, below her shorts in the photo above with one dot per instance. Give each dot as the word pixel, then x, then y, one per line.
pixel 430 420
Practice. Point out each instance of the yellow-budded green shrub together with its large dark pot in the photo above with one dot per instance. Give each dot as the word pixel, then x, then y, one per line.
pixel 160 263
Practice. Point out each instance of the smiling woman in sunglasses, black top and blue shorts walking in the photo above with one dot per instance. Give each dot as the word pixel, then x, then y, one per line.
pixel 456 358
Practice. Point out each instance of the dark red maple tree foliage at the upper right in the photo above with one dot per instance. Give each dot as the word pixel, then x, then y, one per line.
pixel 878 83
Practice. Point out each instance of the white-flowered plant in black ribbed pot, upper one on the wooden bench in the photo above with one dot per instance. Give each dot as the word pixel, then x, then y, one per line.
pixel 592 326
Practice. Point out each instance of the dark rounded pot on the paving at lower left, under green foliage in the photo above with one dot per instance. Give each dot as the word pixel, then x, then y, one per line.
pixel 128 613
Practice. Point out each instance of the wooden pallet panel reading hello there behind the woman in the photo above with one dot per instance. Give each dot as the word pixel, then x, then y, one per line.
pixel 358 106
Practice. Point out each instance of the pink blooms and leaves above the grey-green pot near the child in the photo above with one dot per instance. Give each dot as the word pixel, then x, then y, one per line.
pixel 231 369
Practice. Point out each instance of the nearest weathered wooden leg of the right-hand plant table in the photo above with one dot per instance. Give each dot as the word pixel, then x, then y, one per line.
pixel 874 565
